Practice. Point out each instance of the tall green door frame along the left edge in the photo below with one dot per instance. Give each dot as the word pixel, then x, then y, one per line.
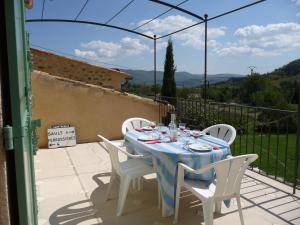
pixel 19 122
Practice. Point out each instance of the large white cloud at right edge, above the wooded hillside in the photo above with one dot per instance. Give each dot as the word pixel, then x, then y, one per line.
pixel 268 40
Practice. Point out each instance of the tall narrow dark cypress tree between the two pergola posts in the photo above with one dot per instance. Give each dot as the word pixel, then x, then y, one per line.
pixel 168 90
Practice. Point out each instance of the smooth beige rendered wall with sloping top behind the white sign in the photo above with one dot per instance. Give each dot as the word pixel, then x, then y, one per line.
pixel 91 109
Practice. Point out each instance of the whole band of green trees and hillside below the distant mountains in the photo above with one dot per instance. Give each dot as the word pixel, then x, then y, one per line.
pixel 277 89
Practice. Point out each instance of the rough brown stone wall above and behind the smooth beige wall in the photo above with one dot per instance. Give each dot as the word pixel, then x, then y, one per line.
pixel 77 70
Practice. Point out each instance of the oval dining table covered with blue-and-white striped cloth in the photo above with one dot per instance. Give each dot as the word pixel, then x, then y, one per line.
pixel 166 155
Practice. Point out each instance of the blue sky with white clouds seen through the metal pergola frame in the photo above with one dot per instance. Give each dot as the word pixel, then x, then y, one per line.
pixel 266 35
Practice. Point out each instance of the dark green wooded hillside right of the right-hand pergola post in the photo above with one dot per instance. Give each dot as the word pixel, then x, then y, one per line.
pixel 277 89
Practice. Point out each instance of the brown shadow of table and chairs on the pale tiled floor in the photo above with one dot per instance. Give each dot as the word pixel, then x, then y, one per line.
pixel 141 207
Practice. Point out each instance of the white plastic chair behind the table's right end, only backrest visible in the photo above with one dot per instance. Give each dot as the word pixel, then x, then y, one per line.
pixel 222 131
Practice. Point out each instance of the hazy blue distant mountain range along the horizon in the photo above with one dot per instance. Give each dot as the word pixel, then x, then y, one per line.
pixel 182 78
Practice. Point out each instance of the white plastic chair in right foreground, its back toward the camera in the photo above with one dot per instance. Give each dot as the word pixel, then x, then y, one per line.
pixel 229 174
